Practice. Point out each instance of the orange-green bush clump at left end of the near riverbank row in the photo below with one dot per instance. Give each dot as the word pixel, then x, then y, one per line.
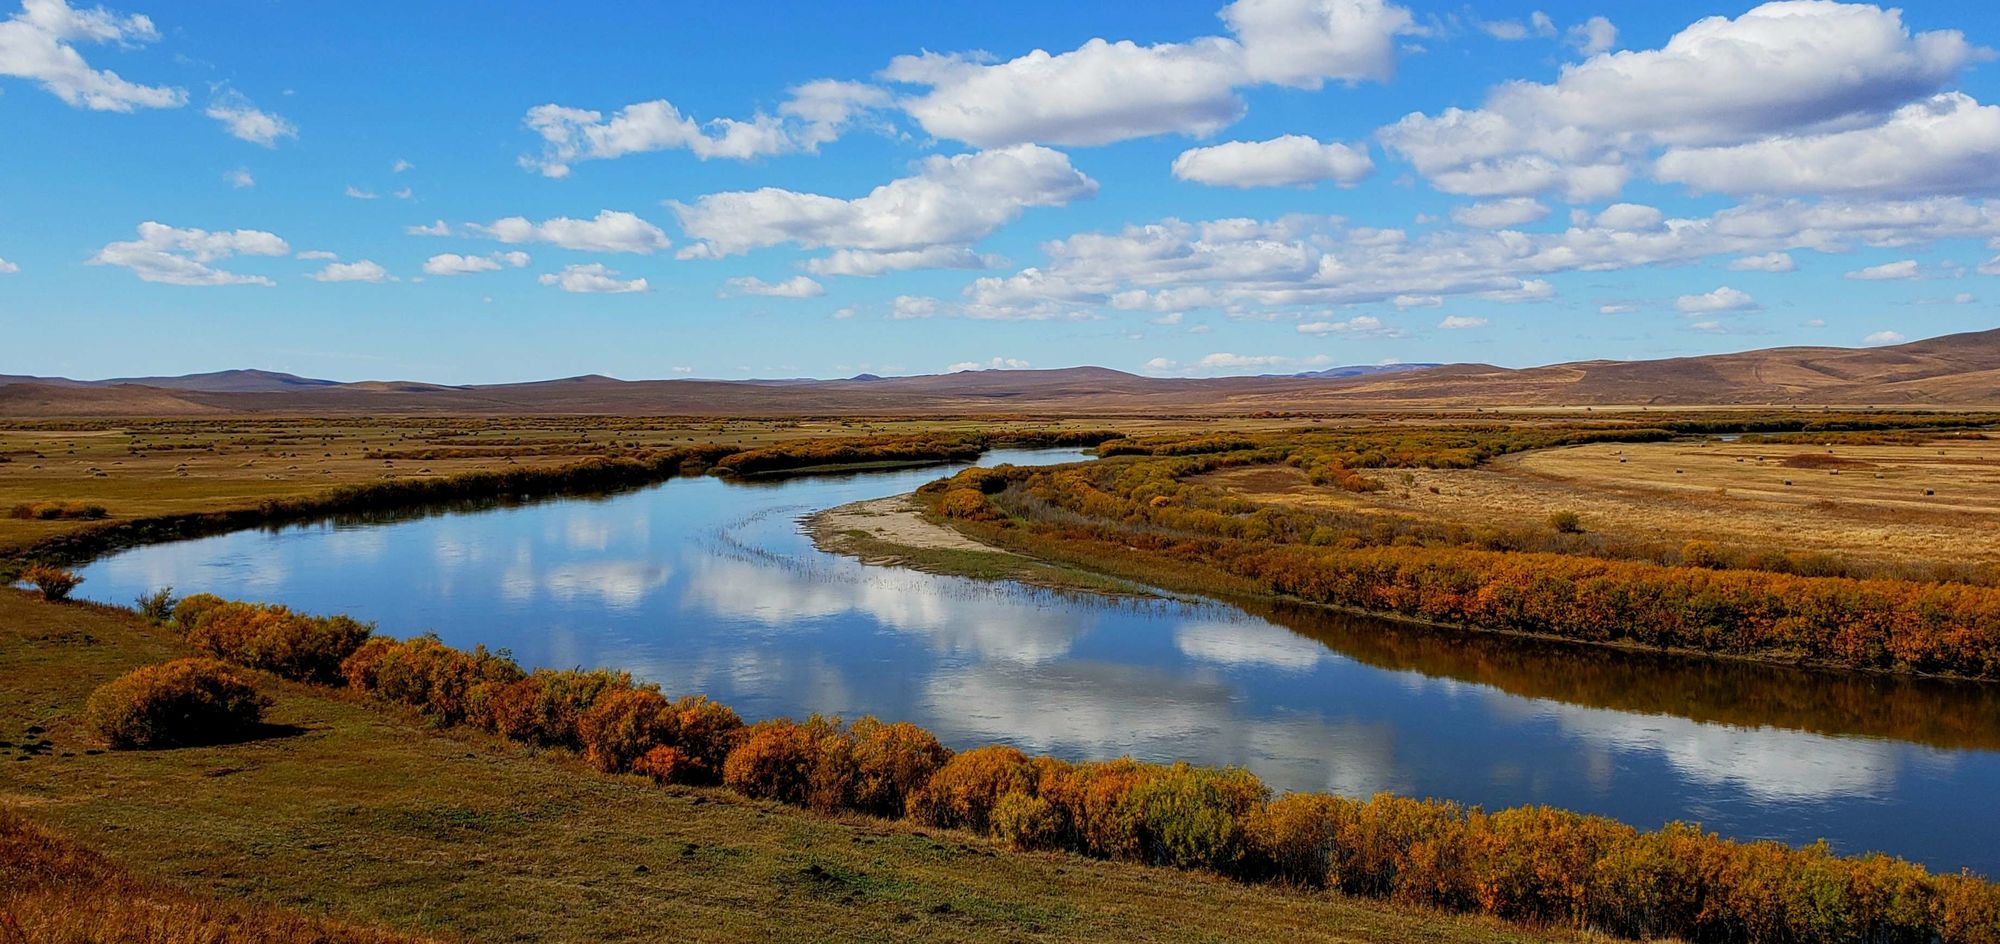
pixel 273 639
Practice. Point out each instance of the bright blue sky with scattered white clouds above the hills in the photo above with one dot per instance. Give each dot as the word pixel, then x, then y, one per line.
pixel 513 193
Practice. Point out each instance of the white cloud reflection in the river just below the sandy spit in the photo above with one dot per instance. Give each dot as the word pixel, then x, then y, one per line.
pixel 957 617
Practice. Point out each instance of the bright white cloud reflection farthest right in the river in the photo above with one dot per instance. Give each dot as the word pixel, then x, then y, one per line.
pixel 1767 763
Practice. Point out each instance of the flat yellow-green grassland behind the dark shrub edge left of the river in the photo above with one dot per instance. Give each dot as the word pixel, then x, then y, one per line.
pixel 157 469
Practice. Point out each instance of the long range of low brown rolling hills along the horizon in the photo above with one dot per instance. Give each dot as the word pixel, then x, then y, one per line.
pixel 1953 371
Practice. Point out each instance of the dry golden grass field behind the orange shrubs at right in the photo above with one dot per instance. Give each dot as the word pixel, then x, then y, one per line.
pixel 1865 503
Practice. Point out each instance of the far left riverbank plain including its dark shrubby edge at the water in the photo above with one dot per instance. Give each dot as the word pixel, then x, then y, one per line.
pixel 79 491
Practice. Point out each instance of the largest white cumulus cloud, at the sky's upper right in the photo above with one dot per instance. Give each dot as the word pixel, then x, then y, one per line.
pixel 1783 69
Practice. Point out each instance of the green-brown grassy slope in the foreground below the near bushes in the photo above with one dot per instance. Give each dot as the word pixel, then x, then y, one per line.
pixel 369 817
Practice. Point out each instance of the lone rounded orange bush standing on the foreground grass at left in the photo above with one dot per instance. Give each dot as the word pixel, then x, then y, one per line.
pixel 189 701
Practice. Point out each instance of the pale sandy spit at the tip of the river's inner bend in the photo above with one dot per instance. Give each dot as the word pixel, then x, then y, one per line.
pixel 897 533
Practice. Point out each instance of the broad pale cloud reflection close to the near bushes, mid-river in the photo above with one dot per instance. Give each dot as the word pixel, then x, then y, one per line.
pixel 1105 711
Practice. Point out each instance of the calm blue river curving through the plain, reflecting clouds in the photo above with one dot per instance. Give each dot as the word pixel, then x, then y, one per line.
pixel 709 587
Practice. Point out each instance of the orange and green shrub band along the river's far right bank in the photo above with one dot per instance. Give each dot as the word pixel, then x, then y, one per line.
pixel 1143 519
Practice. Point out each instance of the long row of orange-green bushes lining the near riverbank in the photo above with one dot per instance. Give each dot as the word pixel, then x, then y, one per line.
pixel 1535 865
